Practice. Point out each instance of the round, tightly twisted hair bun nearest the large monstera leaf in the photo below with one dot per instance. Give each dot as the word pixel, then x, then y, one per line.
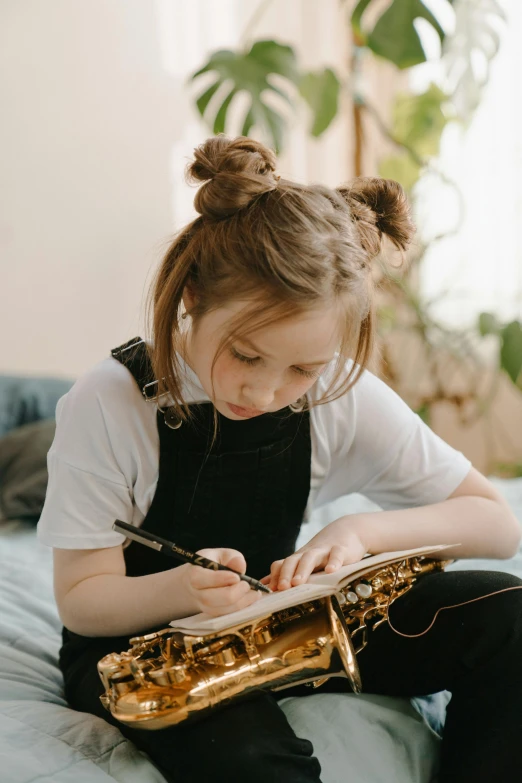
pixel 234 171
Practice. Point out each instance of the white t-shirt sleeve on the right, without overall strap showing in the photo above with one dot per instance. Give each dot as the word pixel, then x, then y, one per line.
pixel 393 458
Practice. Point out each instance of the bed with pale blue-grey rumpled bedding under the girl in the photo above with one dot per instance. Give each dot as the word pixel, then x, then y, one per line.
pixel 360 739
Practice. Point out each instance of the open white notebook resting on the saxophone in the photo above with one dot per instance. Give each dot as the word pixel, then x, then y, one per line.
pixel 318 585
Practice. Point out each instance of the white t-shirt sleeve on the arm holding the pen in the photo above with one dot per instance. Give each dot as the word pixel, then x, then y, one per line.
pixel 90 482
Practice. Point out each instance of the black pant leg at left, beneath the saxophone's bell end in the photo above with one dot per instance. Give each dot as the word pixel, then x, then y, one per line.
pixel 250 740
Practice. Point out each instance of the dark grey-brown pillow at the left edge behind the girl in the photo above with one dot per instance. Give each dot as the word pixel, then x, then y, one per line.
pixel 23 470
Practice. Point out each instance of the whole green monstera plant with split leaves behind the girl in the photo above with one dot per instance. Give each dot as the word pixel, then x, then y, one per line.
pixel 268 82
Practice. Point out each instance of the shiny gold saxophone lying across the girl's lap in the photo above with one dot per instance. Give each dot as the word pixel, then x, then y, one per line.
pixel 169 677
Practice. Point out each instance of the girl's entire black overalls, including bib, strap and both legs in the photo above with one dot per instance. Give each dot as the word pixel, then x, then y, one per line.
pixel 250 493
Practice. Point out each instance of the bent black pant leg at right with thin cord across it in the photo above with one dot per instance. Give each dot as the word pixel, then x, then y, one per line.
pixel 474 651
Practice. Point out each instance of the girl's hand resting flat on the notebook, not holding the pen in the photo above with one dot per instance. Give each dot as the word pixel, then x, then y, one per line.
pixel 320 553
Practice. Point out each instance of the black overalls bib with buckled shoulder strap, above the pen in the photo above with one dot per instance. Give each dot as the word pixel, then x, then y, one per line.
pixel 249 492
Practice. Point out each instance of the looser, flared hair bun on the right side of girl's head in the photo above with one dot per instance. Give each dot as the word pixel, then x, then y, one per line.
pixel 379 206
